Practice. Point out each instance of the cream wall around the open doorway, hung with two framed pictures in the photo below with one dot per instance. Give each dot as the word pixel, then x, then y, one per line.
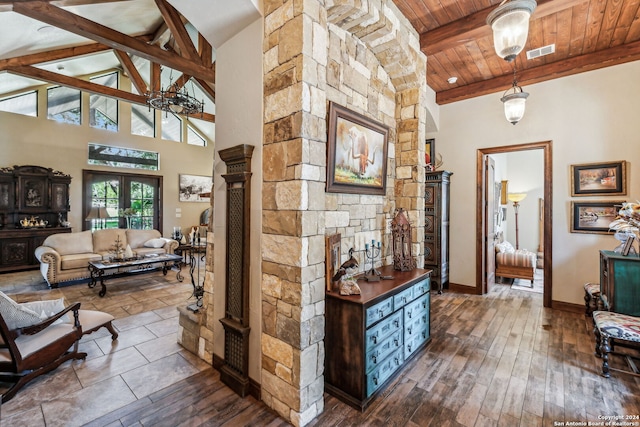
pixel 589 117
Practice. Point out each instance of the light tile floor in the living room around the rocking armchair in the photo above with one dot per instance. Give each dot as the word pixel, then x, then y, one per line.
pixel 144 359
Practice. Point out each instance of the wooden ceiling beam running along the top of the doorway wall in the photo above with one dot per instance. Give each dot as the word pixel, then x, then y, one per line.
pixel 593 61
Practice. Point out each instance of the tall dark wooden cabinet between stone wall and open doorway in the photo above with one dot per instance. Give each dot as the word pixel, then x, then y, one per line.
pixel 436 227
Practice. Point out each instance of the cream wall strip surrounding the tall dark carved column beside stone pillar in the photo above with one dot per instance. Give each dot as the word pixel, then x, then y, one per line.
pixel 239 117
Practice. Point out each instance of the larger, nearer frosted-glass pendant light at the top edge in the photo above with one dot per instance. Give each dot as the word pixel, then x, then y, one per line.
pixel 510 25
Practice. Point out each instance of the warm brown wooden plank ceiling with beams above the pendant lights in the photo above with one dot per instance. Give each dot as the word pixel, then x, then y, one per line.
pixel 588 34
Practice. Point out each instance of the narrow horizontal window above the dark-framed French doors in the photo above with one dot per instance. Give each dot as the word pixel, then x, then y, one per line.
pixel 121 157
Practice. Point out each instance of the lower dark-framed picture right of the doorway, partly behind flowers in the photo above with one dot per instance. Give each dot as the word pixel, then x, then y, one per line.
pixel 595 216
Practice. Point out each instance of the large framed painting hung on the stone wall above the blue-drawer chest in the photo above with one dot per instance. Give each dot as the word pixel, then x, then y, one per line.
pixel 350 133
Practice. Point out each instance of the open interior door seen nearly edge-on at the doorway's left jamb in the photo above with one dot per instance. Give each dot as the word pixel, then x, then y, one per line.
pixel 490 215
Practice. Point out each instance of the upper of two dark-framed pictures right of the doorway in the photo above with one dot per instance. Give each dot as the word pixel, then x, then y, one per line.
pixel 599 179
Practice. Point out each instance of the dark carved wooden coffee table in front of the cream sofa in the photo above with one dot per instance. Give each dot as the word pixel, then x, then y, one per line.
pixel 139 265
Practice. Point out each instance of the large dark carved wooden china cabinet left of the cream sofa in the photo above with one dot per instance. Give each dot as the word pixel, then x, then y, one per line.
pixel 33 202
